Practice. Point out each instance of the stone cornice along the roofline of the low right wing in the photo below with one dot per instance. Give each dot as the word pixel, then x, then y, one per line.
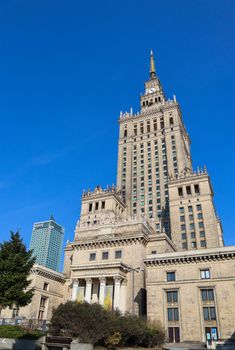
pixel 178 258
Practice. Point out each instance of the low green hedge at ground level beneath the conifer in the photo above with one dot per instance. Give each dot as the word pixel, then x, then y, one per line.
pixel 16 332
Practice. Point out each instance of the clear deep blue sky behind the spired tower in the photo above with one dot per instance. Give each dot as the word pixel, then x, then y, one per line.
pixel 67 68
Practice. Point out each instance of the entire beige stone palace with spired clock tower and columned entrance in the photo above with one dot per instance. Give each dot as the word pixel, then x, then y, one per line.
pixel 153 245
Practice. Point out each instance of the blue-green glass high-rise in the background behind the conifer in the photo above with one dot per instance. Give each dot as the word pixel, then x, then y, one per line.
pixel 47 243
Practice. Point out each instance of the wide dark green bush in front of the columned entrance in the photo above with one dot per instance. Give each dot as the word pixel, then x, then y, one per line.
pixel 91 323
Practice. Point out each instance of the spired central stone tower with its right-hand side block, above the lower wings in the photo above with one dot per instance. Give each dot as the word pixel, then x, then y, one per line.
pixel 155 173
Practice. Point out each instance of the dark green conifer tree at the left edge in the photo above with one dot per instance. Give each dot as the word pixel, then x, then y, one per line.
pixel 15 265
